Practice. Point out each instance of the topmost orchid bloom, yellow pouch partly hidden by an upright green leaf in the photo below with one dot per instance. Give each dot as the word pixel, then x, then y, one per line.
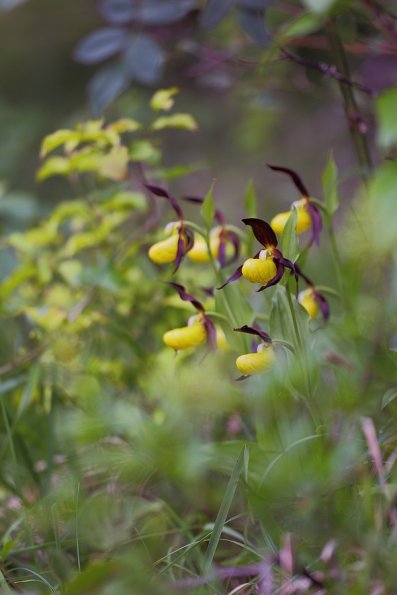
pixel 308 215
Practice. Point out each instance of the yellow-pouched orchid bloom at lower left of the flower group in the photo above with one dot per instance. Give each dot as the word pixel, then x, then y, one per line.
pixel 198 330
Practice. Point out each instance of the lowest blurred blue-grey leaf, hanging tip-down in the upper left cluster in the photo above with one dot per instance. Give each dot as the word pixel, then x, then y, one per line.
pixel 106 85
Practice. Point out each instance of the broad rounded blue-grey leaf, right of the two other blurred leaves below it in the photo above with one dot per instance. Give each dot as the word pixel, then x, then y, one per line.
pixel 144 60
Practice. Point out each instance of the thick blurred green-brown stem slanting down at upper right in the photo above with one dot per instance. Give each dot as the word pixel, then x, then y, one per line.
pixel 352 111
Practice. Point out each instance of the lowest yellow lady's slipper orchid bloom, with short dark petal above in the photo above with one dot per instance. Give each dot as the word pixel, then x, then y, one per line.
pixel 258 361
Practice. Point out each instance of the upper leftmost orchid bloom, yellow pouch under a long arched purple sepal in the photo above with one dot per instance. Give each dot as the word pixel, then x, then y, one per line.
pixel 174 248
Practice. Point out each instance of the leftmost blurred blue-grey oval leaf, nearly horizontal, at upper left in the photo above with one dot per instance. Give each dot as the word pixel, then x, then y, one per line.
pixel 100 45
